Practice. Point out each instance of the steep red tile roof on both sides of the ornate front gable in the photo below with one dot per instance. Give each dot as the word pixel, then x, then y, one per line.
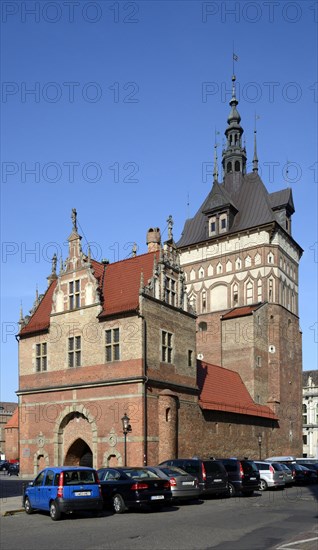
pixel 119 284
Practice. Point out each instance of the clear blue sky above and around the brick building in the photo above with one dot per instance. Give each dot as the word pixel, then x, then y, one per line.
pixel 112 108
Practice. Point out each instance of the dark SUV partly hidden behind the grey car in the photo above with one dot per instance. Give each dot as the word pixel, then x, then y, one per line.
pixel 211 474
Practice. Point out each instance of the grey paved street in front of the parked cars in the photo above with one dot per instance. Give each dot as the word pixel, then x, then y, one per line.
pixel 284 520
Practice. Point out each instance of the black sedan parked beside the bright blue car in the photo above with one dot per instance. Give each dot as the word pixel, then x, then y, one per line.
pixel 124 488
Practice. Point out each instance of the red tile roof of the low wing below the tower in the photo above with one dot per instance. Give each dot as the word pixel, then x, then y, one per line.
pixel 223 390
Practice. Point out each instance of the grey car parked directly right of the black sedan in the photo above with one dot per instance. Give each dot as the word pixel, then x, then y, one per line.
pixel 183 485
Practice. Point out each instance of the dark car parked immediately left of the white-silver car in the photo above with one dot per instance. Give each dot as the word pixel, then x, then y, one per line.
pixel 243 476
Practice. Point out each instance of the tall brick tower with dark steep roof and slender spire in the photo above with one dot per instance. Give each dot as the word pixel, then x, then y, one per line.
pixel 241 267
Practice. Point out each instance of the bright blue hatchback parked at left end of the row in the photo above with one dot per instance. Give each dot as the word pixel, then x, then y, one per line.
pixel 64 489
